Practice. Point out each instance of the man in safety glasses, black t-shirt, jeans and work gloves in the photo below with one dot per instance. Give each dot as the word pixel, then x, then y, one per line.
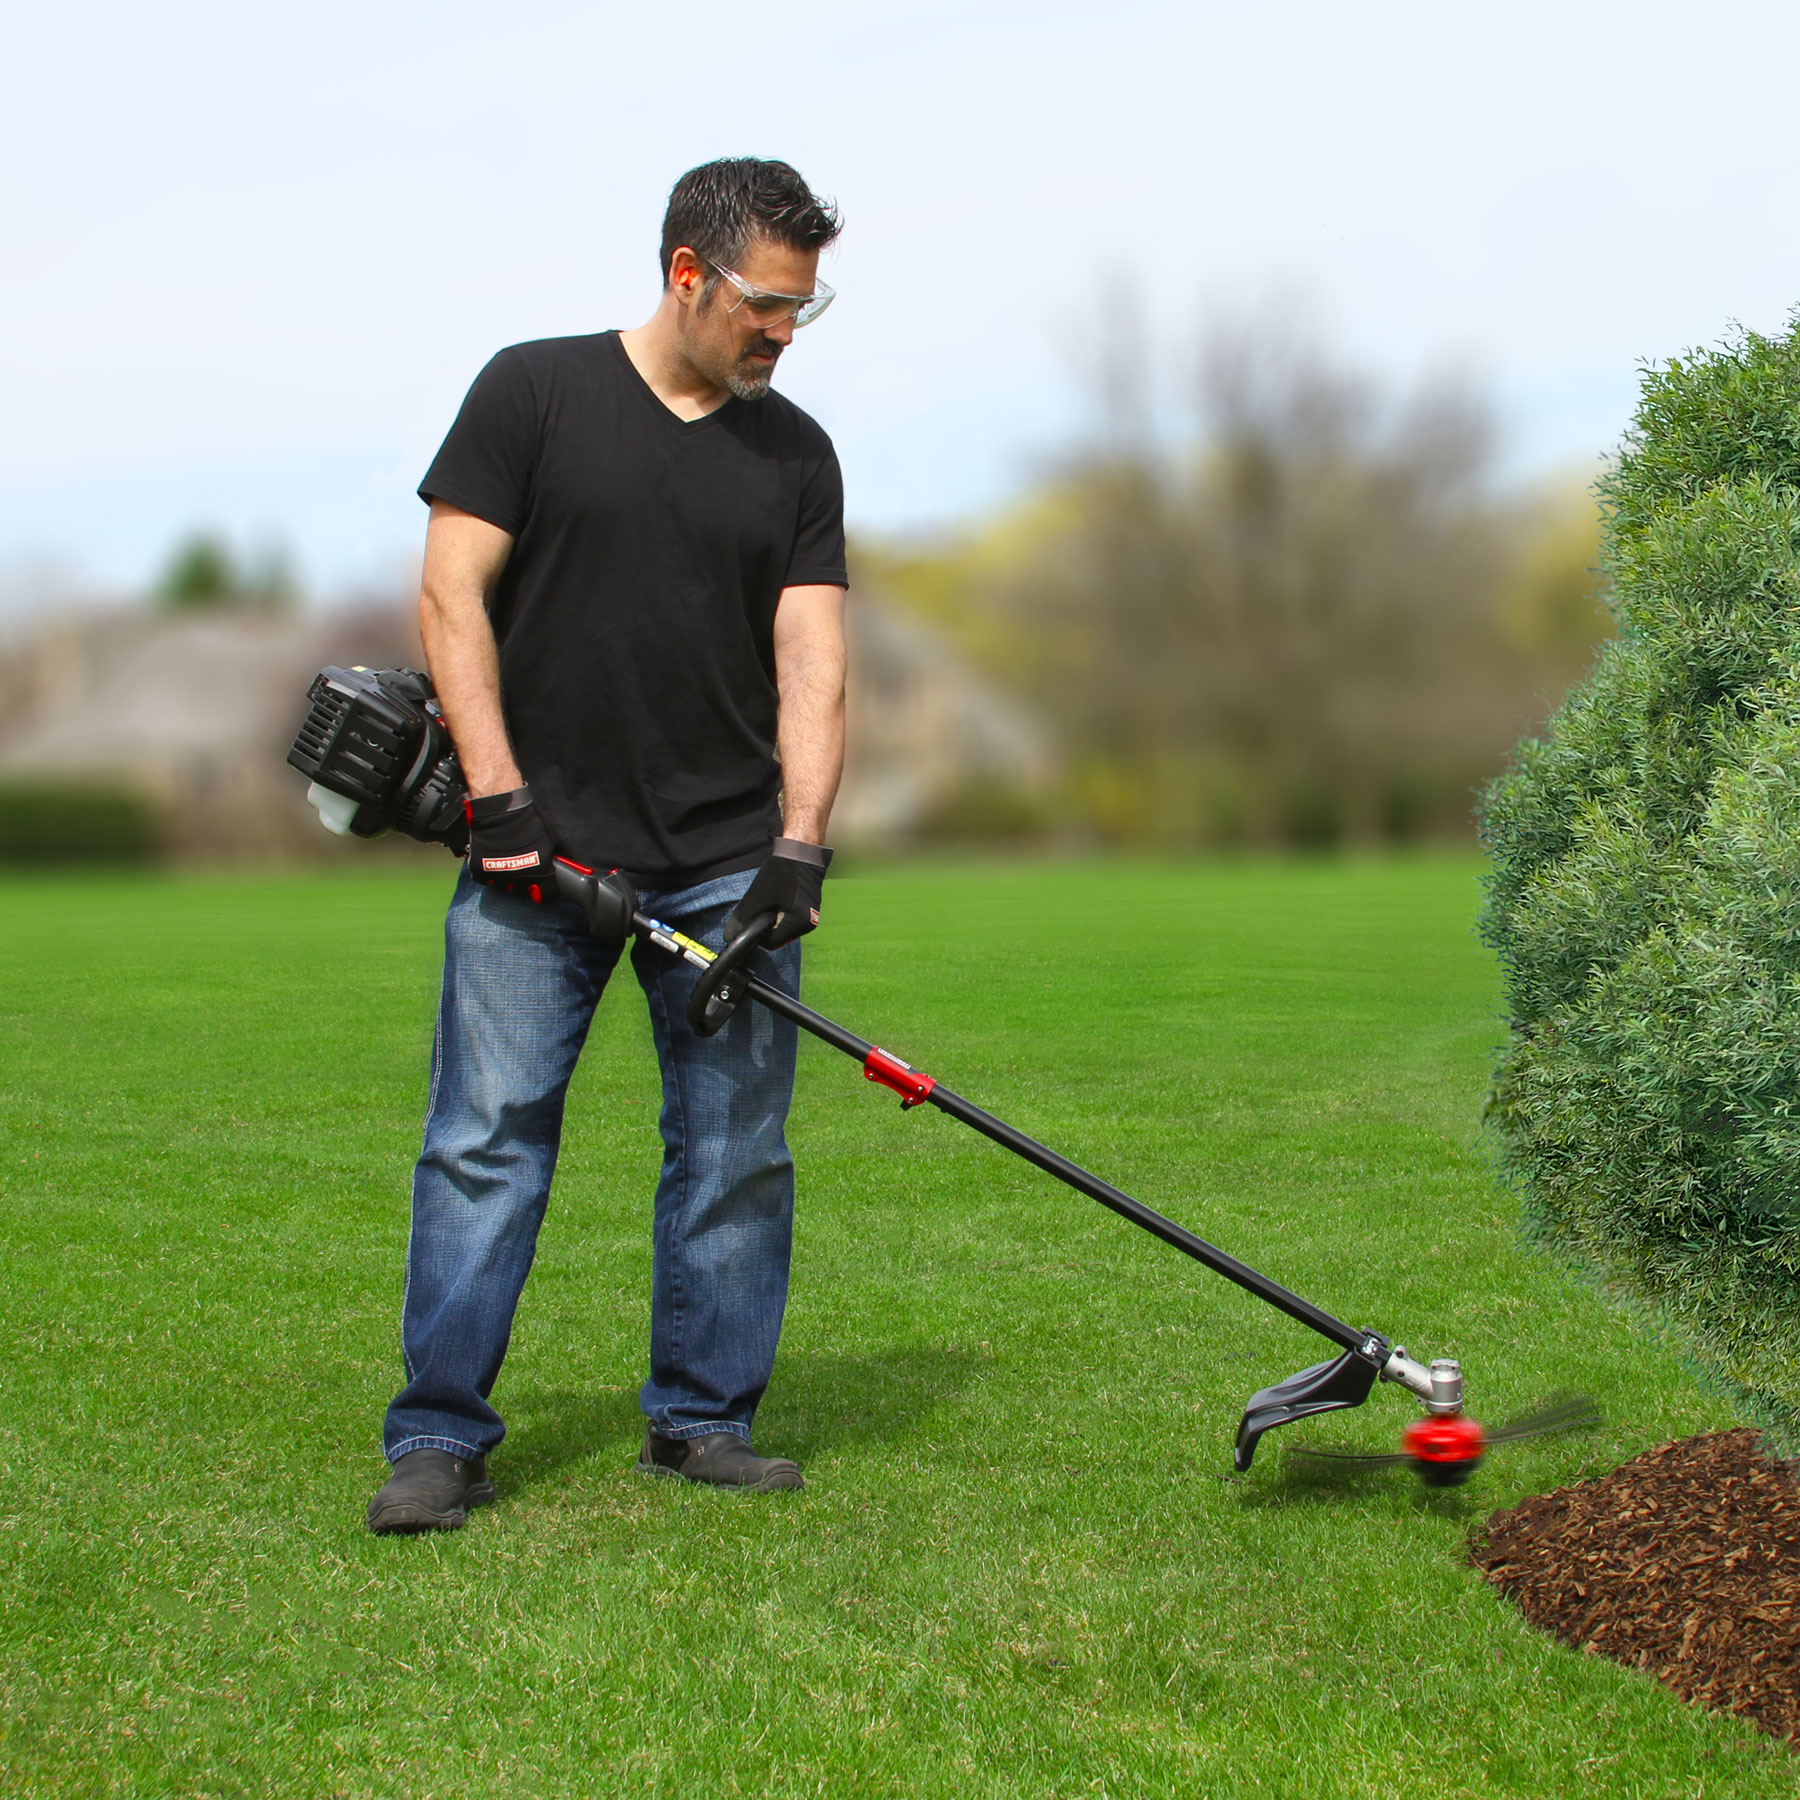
pixel 634 616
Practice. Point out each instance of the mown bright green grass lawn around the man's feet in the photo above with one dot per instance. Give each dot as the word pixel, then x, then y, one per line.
pixel 1023 1563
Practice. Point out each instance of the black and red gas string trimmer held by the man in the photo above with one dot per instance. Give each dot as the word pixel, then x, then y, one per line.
pixel 375 746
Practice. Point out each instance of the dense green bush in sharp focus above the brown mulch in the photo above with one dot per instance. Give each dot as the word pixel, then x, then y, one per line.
pixel 1646 894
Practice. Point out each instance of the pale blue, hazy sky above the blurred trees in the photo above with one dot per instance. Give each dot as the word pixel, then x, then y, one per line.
pixel 255 255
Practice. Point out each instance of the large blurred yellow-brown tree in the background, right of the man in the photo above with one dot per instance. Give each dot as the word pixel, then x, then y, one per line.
pixel 1322 625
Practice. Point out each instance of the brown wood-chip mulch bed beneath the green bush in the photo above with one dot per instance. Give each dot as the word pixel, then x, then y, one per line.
pixel 1684 1563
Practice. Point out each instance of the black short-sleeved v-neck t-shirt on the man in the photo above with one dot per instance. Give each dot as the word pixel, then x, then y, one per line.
pixel 636 611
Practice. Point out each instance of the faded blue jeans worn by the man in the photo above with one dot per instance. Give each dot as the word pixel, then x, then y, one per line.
pixel 521 985
